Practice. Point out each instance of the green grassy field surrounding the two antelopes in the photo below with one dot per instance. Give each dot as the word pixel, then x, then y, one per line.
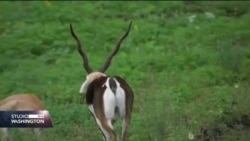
pixel 187 62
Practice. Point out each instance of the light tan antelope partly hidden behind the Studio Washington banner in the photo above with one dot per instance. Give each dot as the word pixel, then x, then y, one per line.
pixel 20 102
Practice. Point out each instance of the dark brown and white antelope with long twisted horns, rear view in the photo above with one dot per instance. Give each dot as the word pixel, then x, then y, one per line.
pixel 108 97
